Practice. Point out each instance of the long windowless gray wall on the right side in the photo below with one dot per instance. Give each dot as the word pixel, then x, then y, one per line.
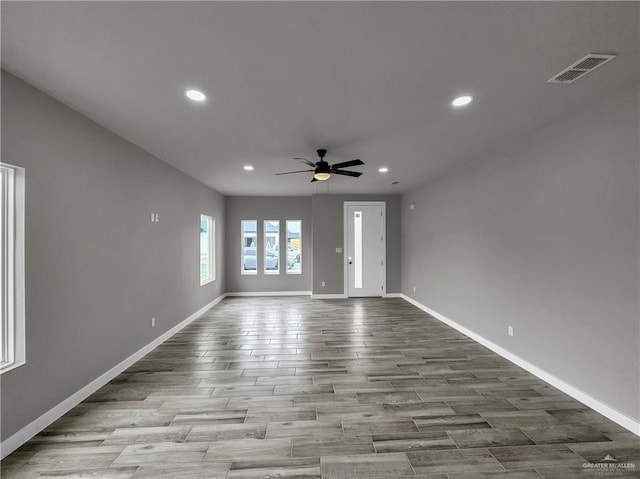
pixel 542 235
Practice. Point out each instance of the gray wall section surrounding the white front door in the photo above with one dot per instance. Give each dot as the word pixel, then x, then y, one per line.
pixel 328 234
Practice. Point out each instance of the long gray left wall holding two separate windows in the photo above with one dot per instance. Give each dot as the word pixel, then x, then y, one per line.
pixel 97 269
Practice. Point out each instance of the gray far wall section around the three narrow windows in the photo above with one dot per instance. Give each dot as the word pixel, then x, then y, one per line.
pixel 262 208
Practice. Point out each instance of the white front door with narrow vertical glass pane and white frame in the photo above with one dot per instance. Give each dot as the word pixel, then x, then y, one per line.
pixel 365 249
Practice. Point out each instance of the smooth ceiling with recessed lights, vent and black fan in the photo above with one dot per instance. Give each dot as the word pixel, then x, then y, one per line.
pixel 369 80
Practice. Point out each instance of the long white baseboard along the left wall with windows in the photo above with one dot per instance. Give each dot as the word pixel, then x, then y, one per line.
pixel 23 435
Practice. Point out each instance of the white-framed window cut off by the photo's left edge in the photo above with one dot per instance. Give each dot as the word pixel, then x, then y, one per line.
pixel 12 273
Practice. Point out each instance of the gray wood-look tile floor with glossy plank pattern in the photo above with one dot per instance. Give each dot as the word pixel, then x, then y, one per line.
pixel 341 389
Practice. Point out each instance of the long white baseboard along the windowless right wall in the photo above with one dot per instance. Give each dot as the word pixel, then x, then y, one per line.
pixel 576 393
